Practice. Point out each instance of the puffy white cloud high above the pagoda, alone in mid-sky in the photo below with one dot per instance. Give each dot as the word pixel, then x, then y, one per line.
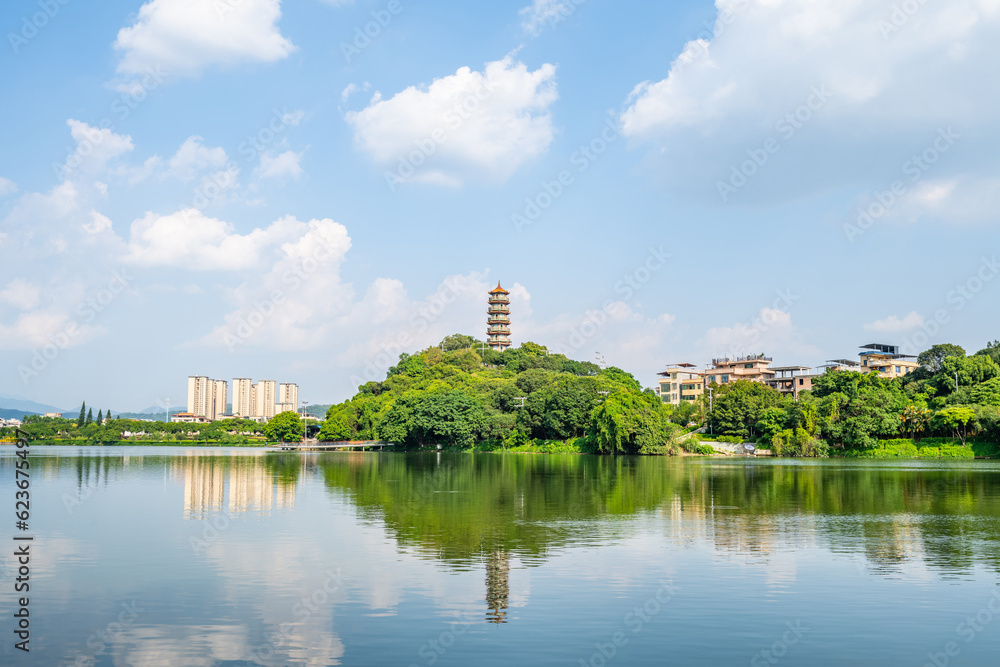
pixel 480 125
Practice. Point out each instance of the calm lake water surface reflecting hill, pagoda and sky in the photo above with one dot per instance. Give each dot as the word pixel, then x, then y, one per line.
pixel 212 557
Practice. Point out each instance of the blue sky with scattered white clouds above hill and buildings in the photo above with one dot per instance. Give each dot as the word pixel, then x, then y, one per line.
pixel 302 191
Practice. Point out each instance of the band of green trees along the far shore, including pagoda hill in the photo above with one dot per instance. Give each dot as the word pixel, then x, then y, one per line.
pixel 458 396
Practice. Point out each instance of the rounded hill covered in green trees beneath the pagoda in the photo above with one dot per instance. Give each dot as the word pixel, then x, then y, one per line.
pixel 451 395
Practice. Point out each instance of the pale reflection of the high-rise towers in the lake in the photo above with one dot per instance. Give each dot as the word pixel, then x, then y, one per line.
pixel 247 483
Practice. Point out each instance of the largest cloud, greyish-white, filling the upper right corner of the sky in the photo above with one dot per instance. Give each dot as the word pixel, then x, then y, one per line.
pixel 768 61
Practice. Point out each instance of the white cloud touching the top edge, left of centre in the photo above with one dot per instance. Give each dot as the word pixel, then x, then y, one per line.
pixel 186 36
